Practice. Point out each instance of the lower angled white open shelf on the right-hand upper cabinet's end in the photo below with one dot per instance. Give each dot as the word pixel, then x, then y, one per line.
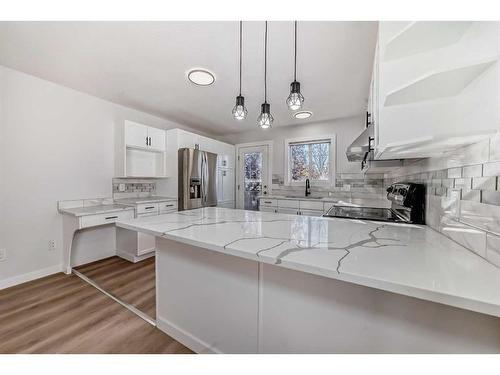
pixel 437 85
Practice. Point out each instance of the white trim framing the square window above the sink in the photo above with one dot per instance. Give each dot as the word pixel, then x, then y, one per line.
pixel 310 139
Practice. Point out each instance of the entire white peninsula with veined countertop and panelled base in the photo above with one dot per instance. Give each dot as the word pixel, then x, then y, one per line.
pixel 239 281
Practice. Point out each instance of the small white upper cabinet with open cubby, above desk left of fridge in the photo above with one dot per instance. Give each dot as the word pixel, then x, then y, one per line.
pixel 140 151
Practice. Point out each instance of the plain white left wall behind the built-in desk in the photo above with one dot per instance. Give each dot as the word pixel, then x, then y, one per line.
pixel 55 144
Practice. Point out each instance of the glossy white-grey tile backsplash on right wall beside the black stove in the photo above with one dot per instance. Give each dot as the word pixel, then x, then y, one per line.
pixel 463 194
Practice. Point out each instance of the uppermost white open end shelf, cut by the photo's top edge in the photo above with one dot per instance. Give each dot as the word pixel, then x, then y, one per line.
pixel 423 36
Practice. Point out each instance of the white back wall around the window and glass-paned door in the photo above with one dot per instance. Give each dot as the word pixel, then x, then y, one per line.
pixel 347 129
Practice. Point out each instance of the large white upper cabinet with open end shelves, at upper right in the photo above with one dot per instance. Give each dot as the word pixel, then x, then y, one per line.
pixel 435 87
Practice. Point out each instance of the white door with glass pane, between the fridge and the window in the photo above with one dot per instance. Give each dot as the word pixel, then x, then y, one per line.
pixel 253 168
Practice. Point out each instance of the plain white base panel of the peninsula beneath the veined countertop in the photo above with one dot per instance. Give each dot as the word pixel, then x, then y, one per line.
pixel 218 303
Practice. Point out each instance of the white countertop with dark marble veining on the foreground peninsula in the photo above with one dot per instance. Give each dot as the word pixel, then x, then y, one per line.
pixel 402 258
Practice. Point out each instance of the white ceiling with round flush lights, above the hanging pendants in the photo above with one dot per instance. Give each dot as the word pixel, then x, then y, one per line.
pixel 143 65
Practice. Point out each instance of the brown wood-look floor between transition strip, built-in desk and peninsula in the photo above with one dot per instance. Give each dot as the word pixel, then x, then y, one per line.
pixel 133 283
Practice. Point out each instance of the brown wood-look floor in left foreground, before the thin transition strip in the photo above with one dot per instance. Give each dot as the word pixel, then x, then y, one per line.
pixel 64 314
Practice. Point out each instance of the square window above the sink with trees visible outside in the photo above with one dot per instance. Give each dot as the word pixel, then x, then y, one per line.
pixel 310 159
